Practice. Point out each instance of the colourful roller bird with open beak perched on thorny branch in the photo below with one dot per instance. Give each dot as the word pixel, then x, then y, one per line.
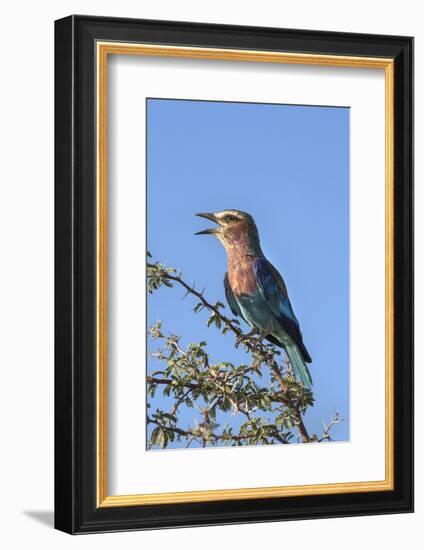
pixel 255 290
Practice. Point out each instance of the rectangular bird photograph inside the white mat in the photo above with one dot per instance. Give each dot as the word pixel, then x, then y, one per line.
pixel 247 274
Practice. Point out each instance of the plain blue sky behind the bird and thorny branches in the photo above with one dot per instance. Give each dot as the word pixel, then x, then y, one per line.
pixel 286 165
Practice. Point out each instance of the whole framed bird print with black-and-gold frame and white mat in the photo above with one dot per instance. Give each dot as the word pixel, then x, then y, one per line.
pixel 234 271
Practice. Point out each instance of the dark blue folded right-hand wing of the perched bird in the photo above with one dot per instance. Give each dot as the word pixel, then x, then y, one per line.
pixel 273 289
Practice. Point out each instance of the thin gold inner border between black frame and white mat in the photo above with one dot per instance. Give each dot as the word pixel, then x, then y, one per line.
pixel 103 50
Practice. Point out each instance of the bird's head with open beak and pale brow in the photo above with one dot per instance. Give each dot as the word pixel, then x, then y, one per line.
pixel 234 229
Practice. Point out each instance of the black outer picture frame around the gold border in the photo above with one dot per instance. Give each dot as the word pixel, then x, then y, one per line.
pixel 76 510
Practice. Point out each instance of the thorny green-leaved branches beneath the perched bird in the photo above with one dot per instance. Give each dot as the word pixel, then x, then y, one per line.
pixel 191 379
